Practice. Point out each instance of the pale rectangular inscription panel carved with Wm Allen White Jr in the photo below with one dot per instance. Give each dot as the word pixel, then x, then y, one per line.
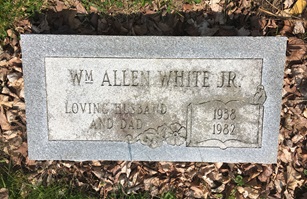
pixel 180 102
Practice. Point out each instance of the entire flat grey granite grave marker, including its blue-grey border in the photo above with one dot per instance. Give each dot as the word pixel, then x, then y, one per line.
pixel 213 99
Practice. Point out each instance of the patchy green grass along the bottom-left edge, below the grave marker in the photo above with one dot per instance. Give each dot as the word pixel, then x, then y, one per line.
pixel 18 185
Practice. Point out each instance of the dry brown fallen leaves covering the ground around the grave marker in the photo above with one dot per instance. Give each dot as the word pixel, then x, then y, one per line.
pixel 286 179
